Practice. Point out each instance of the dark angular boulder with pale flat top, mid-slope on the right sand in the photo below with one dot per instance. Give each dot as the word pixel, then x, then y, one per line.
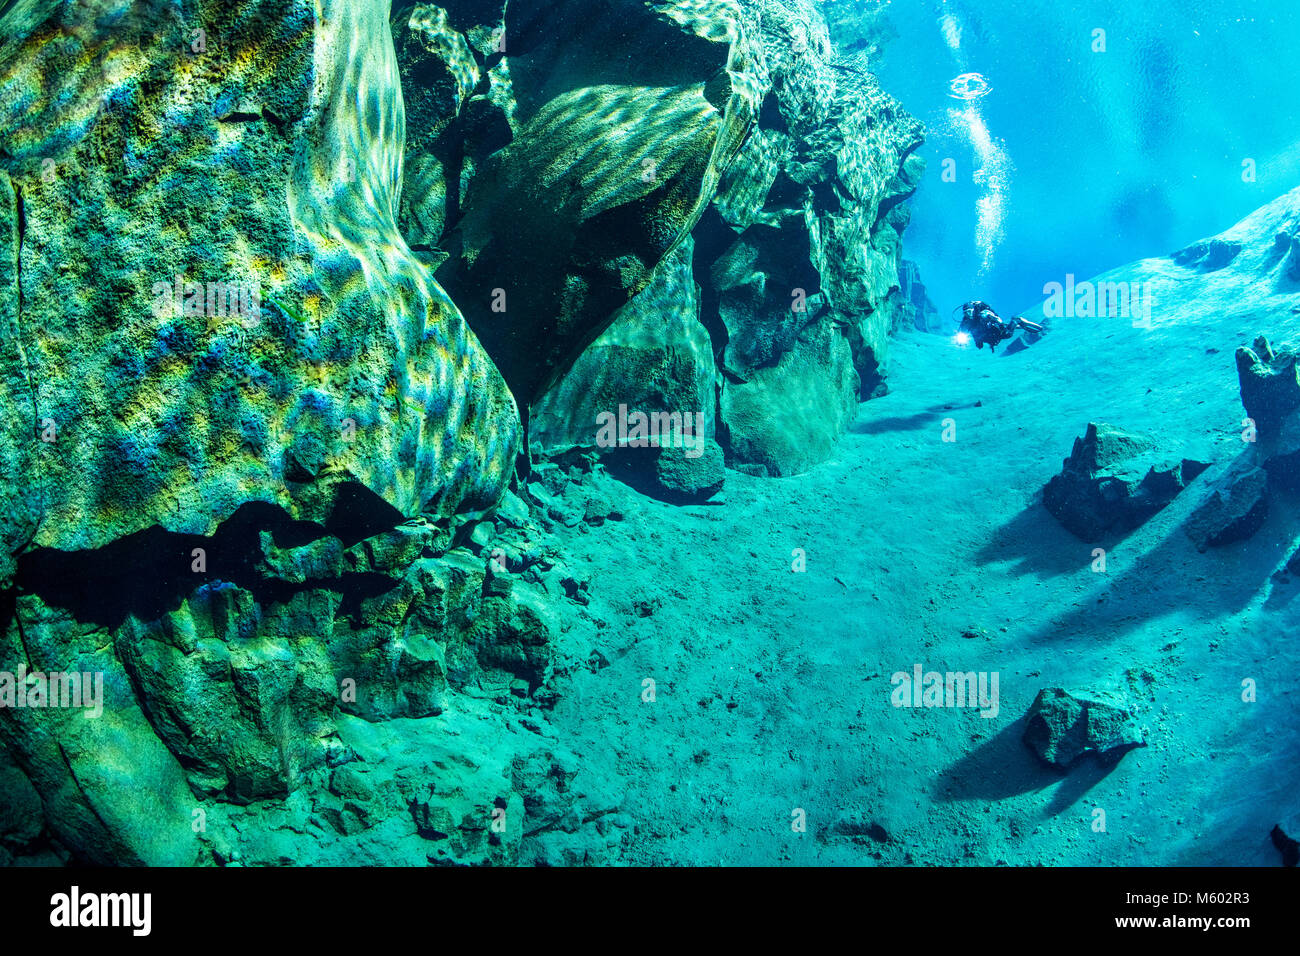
pixel 1113 482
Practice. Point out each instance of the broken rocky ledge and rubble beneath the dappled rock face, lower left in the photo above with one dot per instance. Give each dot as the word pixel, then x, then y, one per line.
pixel 328 684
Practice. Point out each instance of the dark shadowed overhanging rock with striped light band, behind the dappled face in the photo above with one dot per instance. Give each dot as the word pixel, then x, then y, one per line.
pixel 618 122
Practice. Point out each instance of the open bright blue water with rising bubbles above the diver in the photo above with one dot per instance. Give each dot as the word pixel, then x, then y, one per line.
pixel 1094 159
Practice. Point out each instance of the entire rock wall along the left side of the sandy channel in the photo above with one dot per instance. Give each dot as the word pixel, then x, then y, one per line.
pixel 278 279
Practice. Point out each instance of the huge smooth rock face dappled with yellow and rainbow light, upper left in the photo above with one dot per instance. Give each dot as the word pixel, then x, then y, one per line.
pixel 216 305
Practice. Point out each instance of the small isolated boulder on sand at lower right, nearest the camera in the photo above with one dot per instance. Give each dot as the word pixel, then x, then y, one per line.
pixel 1060 729
